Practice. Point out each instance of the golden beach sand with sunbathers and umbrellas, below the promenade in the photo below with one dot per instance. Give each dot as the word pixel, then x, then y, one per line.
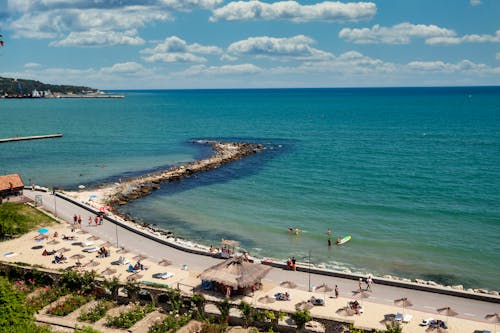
pixel 27 250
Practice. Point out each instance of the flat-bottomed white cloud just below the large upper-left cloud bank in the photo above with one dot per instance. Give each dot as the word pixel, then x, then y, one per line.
pixel 100 38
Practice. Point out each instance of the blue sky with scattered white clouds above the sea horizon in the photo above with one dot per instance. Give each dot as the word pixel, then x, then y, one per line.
pixel 192 44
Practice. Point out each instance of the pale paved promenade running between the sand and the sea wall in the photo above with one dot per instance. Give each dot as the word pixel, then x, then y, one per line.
pixel 422 301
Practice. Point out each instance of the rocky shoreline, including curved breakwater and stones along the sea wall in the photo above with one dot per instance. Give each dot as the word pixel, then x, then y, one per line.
pixel 117 194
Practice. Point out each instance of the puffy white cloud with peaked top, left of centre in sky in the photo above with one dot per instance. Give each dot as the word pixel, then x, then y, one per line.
pixel 175 49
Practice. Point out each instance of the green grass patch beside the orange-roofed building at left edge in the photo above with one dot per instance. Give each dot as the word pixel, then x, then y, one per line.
pixel 18 219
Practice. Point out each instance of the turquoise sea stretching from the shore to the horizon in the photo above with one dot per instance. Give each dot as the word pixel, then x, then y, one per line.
pixel 411 174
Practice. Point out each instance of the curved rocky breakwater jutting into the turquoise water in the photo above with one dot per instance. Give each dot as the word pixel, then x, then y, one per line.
pixel 224 152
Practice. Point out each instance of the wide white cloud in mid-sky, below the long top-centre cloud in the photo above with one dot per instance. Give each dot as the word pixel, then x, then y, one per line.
pixel 297 47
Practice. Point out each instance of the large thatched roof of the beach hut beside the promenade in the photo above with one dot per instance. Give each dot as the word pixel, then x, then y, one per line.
pixel 236 273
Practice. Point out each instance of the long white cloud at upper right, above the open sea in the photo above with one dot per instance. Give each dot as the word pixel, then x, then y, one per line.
pixel 398 34
